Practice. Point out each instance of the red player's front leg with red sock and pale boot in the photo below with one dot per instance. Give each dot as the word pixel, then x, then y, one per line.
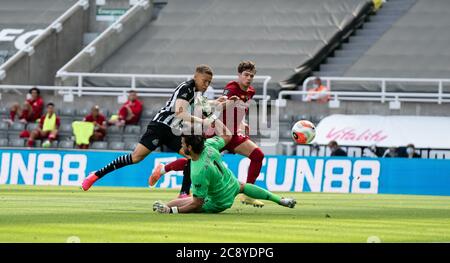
pixel 252 151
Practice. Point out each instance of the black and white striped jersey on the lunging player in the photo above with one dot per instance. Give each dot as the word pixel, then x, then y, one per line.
pixel 185 91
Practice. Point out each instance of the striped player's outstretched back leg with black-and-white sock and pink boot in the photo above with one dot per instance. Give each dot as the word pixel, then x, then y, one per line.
pixel 139 153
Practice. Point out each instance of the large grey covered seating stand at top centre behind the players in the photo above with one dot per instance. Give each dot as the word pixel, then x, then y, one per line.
pixel 286 38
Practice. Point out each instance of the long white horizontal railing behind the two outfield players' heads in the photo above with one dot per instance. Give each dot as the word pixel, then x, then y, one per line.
pixel 80 76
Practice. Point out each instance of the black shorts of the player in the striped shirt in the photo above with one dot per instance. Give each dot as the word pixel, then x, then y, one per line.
pixel 158 134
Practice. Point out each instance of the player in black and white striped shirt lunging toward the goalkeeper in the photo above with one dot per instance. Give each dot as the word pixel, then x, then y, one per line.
pixel 160 129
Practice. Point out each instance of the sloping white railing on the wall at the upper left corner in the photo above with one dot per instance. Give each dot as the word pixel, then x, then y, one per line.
pixel 56 25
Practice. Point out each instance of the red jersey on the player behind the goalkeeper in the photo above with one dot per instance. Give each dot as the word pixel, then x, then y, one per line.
pixel 240 109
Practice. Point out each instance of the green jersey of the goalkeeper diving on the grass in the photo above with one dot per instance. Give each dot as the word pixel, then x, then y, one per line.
pixel 211 180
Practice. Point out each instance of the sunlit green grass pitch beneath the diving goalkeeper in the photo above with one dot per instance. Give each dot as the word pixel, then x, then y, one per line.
pixel 52 214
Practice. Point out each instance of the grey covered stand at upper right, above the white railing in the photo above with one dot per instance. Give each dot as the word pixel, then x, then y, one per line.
pixel 413 44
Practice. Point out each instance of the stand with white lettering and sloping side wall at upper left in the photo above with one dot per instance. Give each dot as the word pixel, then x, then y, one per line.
pixel 58 28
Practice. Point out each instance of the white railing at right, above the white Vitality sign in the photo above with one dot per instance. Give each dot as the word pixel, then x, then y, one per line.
pixel 437 96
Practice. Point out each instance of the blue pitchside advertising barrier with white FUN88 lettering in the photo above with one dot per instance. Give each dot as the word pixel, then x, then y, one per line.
pixel 279 173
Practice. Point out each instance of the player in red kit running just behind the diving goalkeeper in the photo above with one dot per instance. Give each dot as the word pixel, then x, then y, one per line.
pixel 238 94
